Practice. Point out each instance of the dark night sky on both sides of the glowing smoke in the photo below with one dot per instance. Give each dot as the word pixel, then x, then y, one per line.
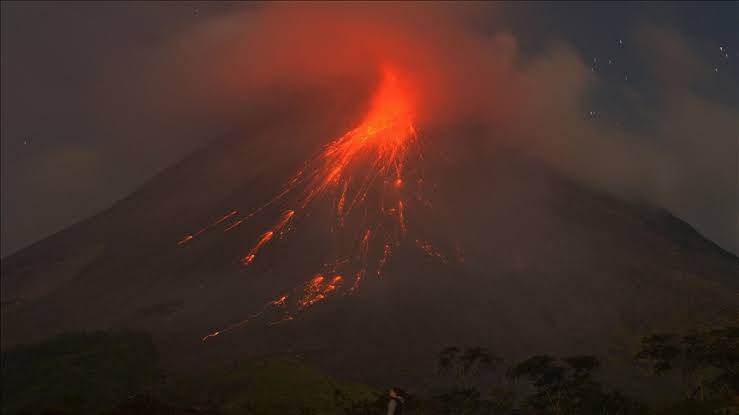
pixel 73 144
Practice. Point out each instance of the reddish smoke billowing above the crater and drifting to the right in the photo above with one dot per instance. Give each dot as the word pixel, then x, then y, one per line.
pixel 462 73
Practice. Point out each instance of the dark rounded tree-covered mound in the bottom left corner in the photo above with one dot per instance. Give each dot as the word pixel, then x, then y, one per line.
pixel 78 372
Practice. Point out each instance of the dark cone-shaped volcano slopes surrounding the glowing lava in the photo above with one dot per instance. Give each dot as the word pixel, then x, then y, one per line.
pixel 506 254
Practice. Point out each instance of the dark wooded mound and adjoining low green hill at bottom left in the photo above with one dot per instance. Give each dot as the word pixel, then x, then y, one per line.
pixel 117 373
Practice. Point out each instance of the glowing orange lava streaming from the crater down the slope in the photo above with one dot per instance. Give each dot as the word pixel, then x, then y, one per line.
pixel 364 171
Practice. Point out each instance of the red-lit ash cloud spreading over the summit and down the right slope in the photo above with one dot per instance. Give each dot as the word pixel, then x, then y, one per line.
pixel 158 100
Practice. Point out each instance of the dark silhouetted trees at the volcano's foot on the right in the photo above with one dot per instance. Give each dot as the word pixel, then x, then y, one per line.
pixel 706 362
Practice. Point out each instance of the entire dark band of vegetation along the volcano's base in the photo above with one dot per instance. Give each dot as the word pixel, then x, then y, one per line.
pixel 118 372
